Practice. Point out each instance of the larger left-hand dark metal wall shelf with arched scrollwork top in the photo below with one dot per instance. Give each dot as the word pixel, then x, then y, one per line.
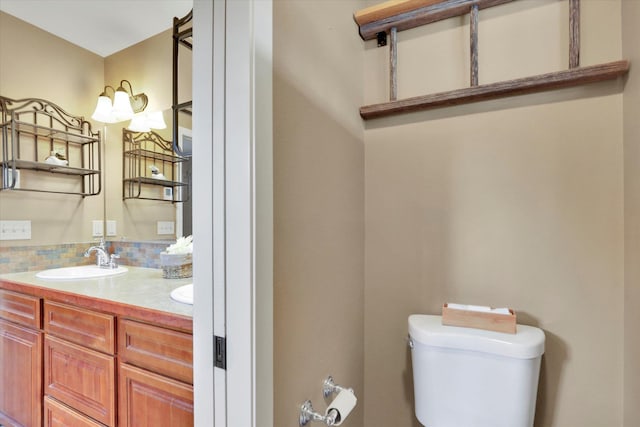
pixel 31 129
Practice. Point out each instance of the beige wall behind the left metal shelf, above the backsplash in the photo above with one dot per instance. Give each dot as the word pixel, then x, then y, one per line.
pixel 34 64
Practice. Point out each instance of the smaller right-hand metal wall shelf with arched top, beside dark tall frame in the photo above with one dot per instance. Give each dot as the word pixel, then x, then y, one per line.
pixel 142 152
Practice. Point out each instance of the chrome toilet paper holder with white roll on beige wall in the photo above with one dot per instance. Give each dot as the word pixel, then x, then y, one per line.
pixel 338 409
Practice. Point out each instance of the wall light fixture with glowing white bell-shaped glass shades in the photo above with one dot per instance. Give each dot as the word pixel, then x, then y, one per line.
pixel 127 106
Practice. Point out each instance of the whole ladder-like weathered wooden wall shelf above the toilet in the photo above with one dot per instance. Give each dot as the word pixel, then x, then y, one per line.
pixel 386 19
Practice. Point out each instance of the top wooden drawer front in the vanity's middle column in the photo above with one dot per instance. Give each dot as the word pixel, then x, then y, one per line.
pixel 84 327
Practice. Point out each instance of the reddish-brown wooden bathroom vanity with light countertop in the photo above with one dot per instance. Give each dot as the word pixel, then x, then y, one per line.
pixel 114 351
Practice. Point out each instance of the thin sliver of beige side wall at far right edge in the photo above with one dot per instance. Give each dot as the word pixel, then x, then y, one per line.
pixel 630 36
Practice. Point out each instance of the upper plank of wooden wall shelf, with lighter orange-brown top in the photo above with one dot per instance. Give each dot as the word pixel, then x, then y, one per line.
pixel 407 14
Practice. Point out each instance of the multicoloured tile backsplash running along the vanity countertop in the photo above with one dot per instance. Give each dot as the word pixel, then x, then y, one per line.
pixel 16 259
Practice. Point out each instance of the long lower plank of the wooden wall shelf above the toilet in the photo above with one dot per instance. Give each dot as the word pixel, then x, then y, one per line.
pixel 540 83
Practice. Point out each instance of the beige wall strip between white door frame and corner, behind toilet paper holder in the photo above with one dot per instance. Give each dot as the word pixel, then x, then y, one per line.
pixel 318 205
